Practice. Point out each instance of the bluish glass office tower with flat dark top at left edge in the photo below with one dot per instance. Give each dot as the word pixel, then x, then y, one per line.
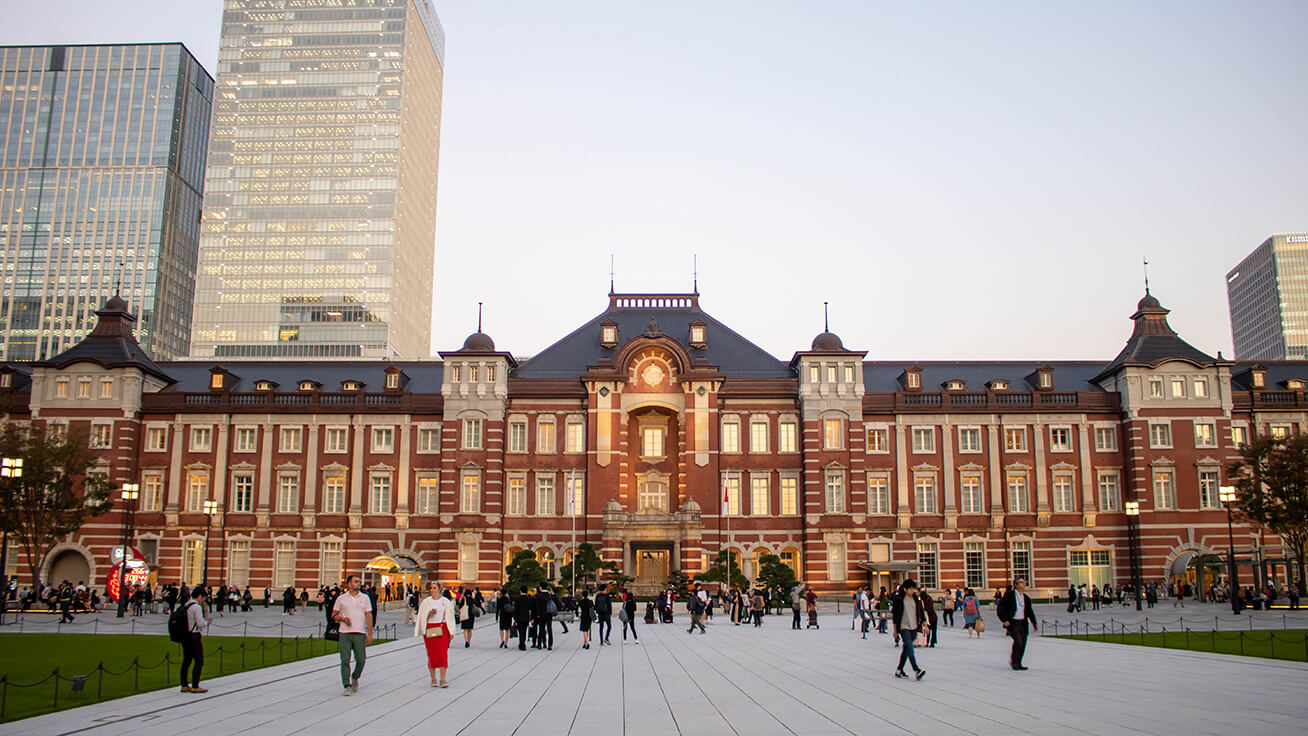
pixel 101 171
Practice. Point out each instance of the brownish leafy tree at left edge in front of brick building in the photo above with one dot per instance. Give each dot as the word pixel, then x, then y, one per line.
pixel 56 495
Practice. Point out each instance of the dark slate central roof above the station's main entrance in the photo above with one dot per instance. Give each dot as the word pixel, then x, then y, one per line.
pixel 733 355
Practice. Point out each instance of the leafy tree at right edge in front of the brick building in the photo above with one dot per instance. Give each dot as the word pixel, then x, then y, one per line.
pixel 1272 480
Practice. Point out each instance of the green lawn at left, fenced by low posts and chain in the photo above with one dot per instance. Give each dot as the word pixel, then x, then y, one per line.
pixel 107 661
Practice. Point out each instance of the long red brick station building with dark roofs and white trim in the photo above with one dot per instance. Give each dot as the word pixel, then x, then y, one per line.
pixel 652 414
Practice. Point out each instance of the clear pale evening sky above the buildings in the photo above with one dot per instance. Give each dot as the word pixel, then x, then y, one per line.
pixel 958 180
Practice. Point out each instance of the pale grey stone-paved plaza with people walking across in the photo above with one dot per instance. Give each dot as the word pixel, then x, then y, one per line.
pixel 734 680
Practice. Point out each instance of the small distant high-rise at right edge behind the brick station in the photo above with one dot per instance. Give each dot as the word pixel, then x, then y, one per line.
pixel 1268 295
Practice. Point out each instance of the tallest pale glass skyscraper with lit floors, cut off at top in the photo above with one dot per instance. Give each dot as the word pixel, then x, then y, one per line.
pixel 320 215
